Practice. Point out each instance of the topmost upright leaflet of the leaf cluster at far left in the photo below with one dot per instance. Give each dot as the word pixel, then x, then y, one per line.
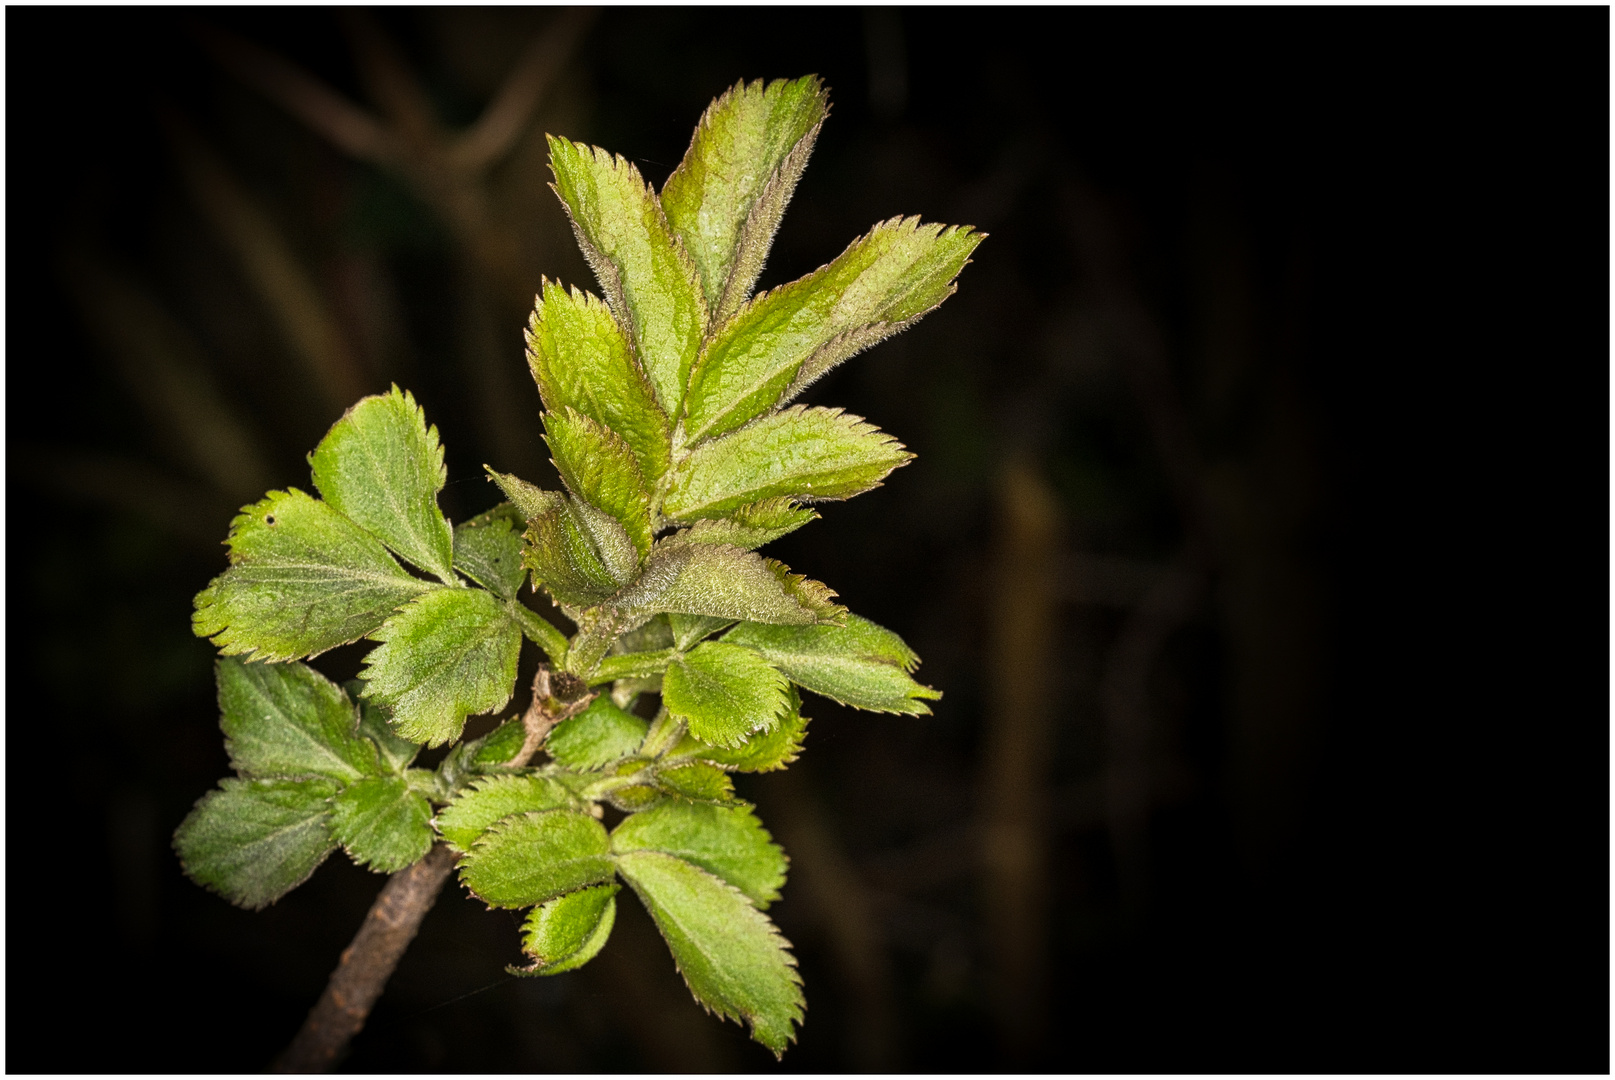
pixel 382 467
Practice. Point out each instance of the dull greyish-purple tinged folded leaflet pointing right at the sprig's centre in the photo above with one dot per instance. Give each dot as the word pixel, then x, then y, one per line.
pixel 726 584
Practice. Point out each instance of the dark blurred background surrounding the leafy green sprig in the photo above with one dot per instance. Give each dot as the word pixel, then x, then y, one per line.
pixel 1259 532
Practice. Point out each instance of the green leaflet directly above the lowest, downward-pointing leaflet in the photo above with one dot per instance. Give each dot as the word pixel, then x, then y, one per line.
pixel 723 840
